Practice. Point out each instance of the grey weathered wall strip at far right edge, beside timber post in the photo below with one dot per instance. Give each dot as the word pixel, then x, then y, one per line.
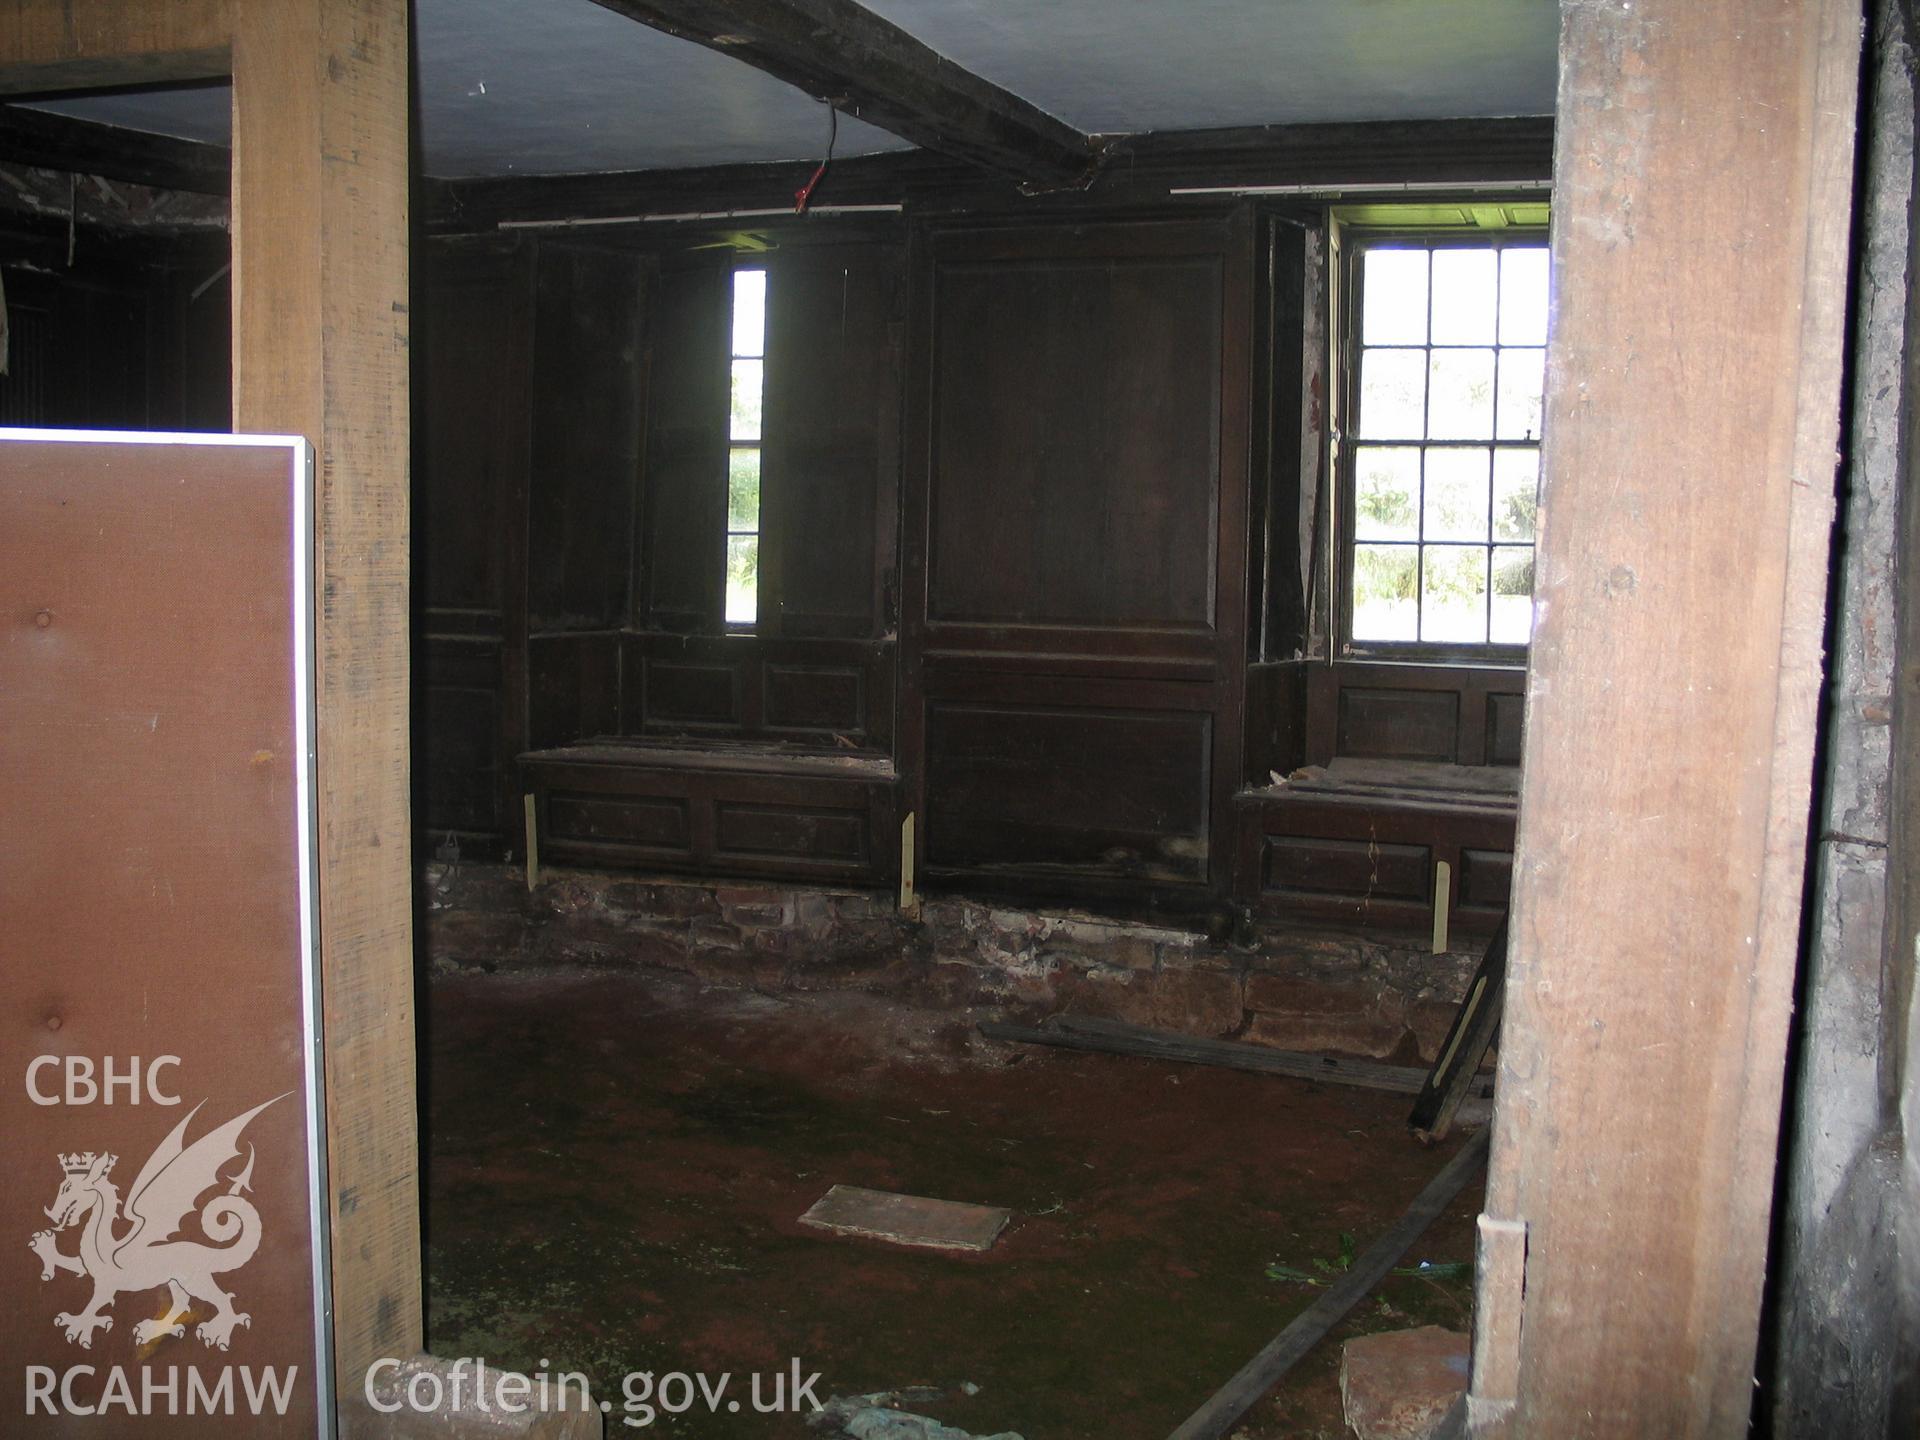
pixel 1835 1266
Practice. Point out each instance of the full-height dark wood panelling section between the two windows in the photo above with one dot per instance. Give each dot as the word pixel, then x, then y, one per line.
pixel 1074 519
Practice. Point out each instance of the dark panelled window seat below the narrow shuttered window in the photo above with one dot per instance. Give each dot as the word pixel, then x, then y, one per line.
pixel 719 805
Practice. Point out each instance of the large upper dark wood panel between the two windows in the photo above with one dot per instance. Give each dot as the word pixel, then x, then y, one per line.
pixel 1076 443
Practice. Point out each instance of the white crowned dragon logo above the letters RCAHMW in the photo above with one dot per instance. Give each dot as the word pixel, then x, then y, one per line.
pixel 145 1255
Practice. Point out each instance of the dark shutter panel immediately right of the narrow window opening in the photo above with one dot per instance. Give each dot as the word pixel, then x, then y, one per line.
pixel 832 454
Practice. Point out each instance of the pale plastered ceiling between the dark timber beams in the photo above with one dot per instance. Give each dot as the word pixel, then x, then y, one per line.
pixel 529 87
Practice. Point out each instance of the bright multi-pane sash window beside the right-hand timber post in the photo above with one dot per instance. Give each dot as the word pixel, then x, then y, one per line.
pixel 1445 456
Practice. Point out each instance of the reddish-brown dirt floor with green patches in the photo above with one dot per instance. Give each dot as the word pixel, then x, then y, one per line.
pixel 617 1164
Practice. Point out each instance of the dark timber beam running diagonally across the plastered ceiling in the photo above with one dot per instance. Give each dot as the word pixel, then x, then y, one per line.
pixel 875 70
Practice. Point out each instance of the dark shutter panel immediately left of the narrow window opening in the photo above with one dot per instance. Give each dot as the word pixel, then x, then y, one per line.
pixel 684 516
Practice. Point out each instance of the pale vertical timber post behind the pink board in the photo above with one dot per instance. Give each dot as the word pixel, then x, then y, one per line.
pixel 322 350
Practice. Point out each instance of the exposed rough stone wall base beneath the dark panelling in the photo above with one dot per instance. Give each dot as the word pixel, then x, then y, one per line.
pixel 1291 990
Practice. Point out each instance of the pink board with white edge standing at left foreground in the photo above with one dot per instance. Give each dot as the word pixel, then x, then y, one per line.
pixel 162 1239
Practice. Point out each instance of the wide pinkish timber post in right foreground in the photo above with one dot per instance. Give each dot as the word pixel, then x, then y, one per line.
pixel 1702 224
